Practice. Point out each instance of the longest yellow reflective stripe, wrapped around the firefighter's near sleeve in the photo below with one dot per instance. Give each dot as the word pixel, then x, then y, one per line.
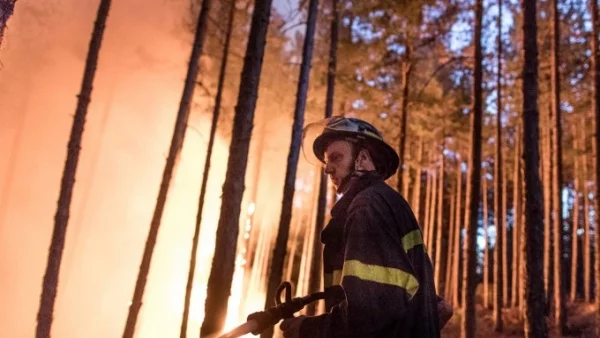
pixel 383 275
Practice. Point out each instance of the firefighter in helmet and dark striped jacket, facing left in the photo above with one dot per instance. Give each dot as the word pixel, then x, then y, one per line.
pixel 373 245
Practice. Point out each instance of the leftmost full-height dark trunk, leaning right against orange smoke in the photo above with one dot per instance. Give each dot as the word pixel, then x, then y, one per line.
pixel 61 218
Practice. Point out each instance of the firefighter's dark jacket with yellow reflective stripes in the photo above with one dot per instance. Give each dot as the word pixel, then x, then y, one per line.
pixel 374 249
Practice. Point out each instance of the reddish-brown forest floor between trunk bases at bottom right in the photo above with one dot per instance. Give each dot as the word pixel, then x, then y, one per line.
pixel 580 323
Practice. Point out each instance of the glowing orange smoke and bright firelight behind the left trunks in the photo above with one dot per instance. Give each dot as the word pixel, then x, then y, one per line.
pixel 130 120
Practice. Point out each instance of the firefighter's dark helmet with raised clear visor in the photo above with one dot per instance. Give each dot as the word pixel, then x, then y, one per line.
pixel 318 135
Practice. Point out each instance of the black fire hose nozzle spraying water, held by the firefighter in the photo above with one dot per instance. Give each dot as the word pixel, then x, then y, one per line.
pixel 260 321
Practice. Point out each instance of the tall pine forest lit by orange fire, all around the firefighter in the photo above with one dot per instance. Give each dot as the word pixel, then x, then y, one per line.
pixel 153 183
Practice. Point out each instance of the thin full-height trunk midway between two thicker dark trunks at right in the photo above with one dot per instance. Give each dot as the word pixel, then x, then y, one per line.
pixel 499 252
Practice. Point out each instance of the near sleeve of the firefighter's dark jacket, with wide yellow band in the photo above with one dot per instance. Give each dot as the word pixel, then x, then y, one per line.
pixel 377 278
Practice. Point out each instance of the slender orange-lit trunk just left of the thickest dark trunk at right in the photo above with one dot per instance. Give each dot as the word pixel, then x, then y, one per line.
pixel 517 205
